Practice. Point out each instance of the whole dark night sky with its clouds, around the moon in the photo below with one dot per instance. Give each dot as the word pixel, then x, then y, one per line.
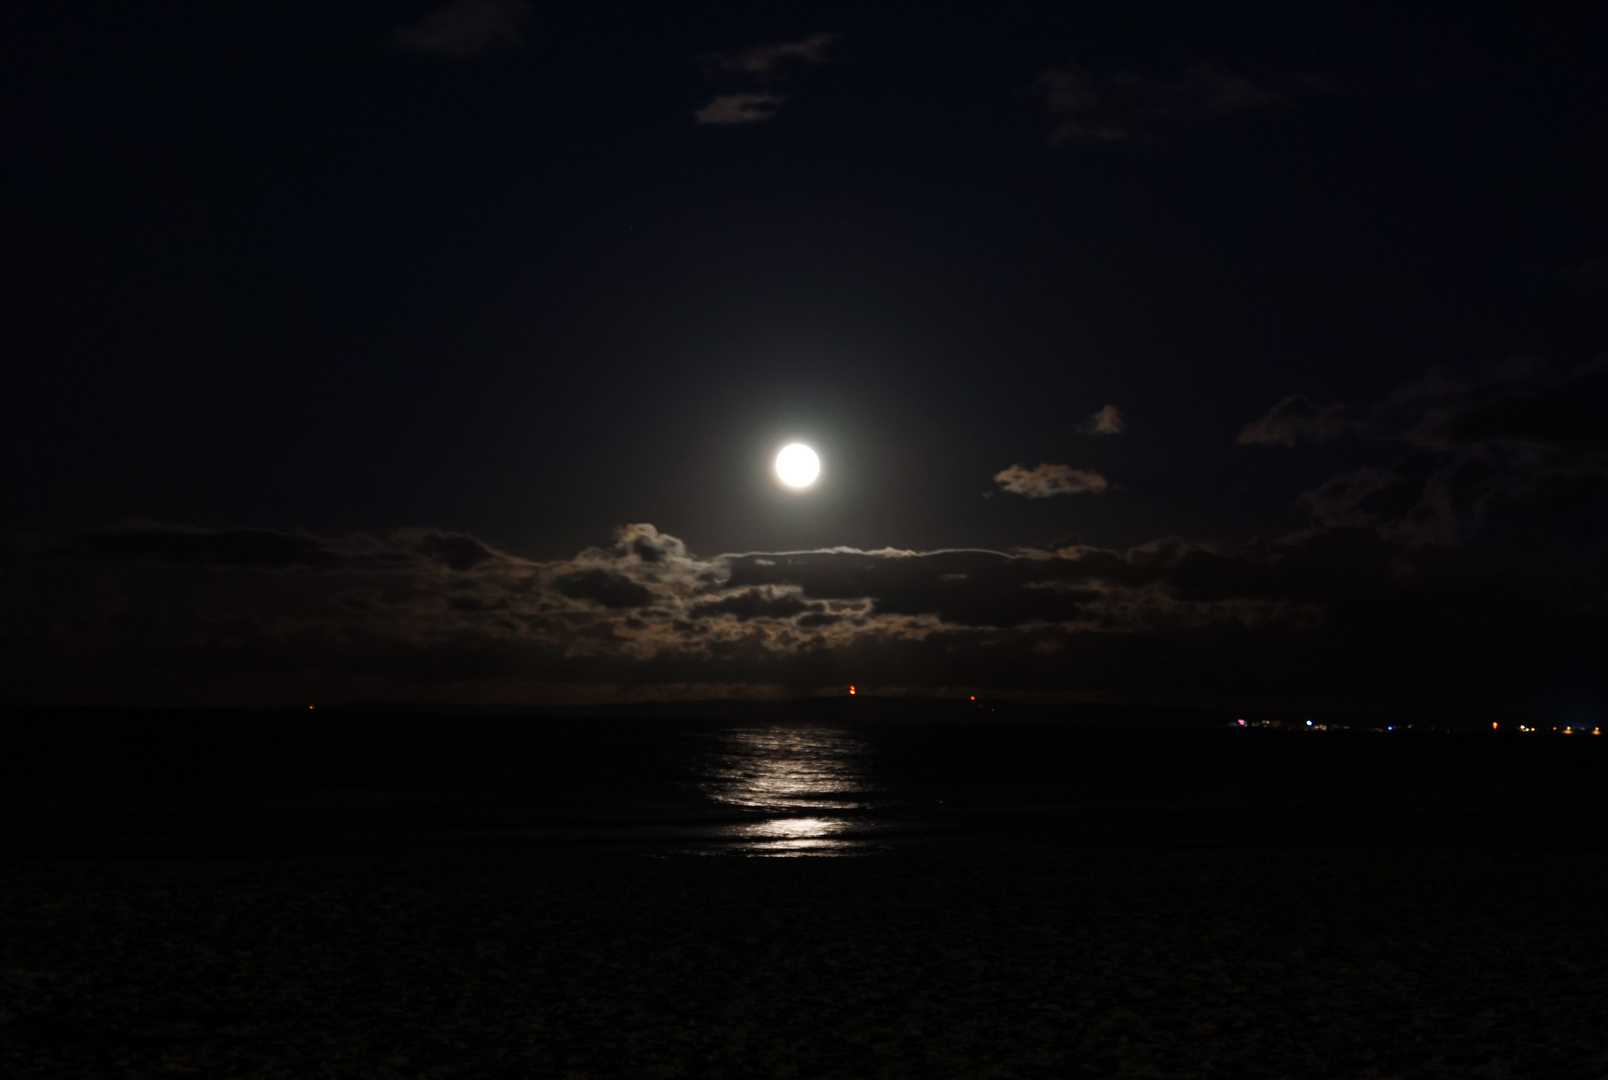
pixel 1228 356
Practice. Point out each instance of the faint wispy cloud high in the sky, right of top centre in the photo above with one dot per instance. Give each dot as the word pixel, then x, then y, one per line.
pixel 1118 105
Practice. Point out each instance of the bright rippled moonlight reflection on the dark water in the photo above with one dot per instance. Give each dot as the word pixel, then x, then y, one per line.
pixel 805 787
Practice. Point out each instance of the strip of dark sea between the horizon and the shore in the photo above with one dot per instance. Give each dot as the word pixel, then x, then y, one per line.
pixel 253 783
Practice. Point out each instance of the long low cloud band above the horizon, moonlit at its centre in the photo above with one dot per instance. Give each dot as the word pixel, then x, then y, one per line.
pixel 170 616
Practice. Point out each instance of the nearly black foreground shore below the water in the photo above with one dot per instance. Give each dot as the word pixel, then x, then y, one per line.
pixel 1077 965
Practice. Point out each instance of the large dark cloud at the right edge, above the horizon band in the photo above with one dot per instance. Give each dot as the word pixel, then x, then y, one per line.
pixel 1506 475
